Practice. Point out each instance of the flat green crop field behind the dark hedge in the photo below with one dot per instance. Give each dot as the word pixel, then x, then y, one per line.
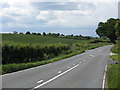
pixel 35 40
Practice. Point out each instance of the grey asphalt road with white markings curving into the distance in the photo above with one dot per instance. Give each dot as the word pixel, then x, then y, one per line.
pixel 85 70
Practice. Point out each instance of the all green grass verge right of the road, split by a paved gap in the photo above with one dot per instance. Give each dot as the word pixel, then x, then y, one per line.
pixel 113 73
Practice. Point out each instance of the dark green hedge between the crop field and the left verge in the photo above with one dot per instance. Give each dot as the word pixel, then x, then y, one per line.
pixel 14 54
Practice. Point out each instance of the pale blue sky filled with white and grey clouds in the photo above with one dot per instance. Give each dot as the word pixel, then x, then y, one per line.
pixel 70 17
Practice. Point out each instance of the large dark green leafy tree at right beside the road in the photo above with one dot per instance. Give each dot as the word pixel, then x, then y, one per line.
pixel 109 29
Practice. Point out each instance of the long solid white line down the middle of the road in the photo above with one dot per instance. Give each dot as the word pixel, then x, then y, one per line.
pixel 55 77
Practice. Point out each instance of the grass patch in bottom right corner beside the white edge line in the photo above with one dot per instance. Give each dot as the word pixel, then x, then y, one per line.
pixel 113 76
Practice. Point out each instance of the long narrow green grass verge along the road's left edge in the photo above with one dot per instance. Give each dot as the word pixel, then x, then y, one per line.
pixel 9 68
